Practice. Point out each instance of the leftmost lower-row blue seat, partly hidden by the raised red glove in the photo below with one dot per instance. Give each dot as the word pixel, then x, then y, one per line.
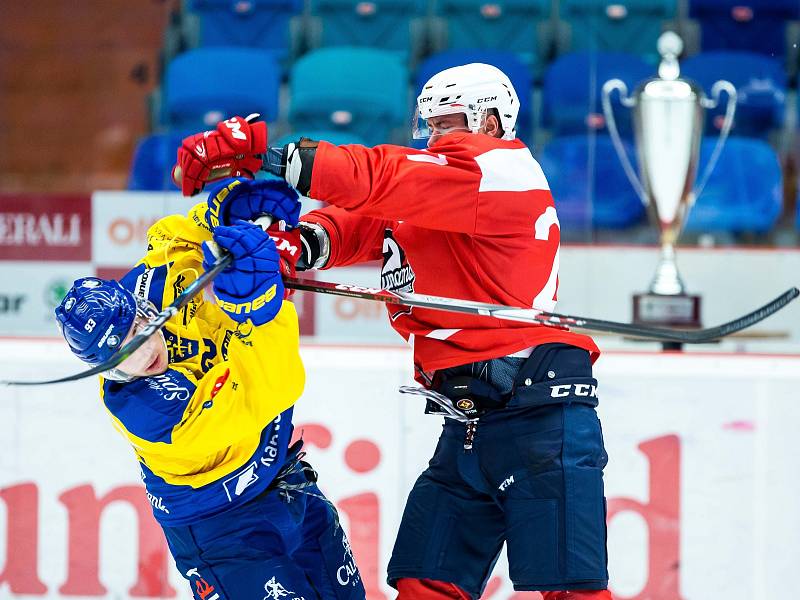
pixel 151 167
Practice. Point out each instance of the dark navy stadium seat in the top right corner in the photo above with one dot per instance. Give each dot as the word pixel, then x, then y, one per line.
pixel 751 25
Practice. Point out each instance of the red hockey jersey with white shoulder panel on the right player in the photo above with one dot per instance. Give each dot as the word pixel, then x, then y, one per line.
pixel 470 218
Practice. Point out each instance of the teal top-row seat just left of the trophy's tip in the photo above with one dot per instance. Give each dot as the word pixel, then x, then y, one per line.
pixel 624 26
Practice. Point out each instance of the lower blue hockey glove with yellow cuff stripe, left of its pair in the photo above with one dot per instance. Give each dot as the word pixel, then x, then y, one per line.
pixel 251 288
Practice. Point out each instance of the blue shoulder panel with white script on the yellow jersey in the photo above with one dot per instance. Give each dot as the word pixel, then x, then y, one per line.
pixel 150 407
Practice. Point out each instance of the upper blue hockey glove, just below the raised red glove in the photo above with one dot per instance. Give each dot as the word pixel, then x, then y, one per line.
pixel 241 198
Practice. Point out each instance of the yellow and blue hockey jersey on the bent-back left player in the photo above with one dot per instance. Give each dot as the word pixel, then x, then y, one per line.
pixel 212 431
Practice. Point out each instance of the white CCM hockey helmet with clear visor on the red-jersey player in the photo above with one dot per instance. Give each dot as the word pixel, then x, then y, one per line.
pixel 470 89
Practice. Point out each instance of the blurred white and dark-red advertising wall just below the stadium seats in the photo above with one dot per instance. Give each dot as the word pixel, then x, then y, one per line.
pixel 48 241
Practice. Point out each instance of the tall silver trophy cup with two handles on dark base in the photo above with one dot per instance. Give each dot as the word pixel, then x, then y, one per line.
pixel 668 117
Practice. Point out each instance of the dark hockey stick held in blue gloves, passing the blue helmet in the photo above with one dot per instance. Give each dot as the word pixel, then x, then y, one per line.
pixel 152 327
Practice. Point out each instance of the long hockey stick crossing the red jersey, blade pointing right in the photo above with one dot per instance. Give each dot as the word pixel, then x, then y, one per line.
pixel 530 315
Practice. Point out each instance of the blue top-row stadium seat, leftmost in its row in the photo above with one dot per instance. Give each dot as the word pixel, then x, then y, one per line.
pixel 253 23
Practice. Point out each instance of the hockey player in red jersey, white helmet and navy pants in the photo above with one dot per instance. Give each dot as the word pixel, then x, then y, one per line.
pixel 520 459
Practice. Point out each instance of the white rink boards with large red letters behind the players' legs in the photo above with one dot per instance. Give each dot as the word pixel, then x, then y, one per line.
pixel 702 482
